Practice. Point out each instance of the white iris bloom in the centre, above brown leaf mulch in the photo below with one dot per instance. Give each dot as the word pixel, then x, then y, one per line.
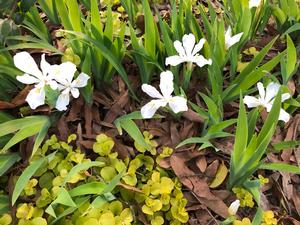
pixel 176 103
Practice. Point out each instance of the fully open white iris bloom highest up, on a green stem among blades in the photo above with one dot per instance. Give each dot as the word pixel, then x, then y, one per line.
pixel 188 52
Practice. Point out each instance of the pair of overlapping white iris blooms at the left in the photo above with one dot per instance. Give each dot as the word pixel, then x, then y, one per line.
pixel 57 77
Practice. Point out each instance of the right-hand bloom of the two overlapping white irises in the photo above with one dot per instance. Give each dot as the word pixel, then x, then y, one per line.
pixel 64 74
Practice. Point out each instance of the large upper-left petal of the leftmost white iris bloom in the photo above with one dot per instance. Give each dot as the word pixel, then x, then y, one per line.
pixel 23 61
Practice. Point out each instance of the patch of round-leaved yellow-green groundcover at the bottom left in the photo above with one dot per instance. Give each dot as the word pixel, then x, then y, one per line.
pixel 78 189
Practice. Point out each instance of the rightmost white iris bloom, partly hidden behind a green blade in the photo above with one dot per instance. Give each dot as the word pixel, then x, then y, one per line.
pixel 266 99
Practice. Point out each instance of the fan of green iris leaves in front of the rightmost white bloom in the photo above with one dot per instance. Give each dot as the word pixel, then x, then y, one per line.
pixel 250 148
